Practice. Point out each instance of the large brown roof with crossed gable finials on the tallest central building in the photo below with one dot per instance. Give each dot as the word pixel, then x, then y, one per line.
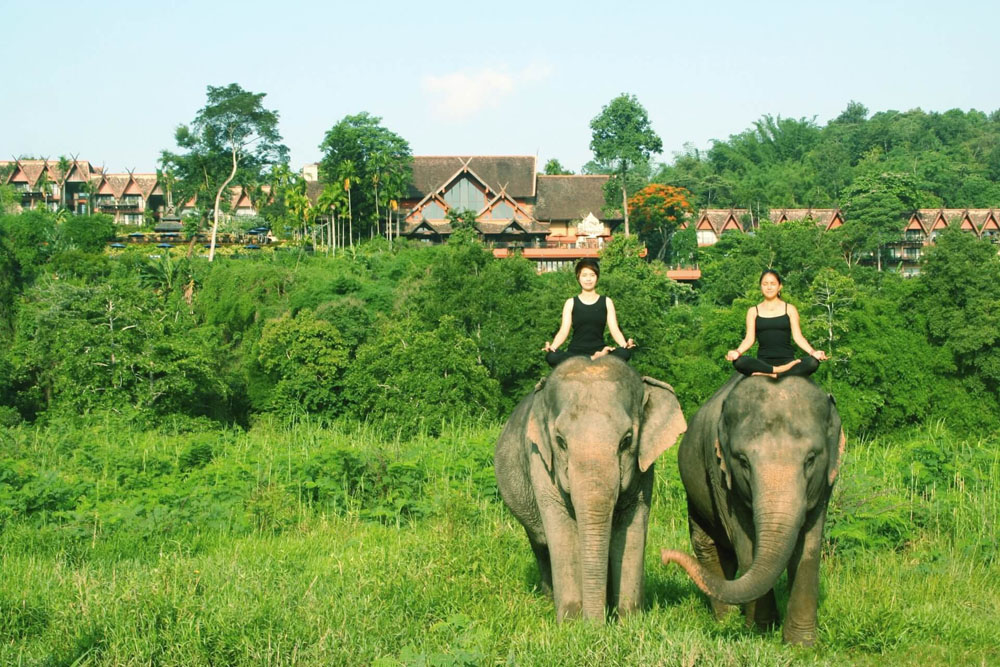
pixel 515 174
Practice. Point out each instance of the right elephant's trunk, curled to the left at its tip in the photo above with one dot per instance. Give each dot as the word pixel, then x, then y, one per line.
pixel 777 533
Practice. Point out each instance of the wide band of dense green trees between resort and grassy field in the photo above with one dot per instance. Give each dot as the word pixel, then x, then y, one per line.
pixel 420 336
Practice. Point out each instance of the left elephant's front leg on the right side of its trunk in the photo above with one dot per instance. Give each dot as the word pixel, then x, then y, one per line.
pixel 626 567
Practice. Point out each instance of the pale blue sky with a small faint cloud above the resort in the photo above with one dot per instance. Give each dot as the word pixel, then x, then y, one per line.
pixel 111 80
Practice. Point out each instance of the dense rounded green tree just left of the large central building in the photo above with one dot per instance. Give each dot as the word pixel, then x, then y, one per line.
pixel 380 163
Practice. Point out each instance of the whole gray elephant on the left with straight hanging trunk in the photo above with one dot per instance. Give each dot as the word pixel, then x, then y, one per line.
pixel 574 463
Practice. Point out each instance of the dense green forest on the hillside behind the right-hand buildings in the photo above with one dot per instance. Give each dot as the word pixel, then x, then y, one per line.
pixel 949 159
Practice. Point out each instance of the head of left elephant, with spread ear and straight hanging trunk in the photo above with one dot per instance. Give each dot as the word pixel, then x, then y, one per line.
pixel 598 428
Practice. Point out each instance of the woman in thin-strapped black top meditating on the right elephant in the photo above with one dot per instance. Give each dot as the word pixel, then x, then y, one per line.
pixel 774 324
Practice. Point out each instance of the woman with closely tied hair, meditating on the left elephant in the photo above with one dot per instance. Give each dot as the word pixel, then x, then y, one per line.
pixel 587 314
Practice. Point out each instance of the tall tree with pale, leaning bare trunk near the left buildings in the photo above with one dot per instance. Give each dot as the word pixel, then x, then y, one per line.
pixel 233 132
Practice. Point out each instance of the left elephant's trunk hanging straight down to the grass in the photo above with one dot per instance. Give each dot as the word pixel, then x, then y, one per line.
pixel 594 498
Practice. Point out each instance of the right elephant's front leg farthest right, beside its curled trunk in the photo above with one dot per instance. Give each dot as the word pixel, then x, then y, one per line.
pixel 803 585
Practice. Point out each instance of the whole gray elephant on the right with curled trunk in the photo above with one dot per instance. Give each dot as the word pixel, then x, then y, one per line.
pixel 758 465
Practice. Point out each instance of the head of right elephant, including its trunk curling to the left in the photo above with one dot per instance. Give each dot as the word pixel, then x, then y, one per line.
pixel 777 452
